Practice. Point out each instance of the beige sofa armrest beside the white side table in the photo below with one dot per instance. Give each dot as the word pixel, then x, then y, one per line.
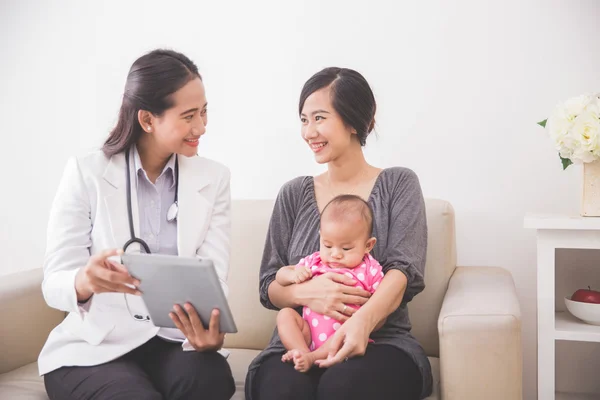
pixel 480 336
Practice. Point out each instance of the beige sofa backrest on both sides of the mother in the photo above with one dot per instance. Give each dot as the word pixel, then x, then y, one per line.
pixel 250 220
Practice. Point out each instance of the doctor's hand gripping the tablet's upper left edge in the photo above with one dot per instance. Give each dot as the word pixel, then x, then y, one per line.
pixel 102 275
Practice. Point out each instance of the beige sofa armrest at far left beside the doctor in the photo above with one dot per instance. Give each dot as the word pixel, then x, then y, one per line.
pixel 25 319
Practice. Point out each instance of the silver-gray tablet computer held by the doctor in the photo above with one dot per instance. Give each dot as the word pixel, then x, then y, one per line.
pixel 166 280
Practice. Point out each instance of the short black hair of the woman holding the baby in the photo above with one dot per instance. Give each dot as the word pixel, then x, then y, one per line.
pixel 351 97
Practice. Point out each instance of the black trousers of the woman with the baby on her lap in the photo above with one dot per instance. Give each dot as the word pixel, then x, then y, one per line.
pixel 383 373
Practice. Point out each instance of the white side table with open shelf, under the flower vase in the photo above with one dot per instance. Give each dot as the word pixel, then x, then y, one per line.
pixel 558 232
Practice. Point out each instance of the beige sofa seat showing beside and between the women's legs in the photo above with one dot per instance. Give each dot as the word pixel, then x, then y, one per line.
pixel 25 384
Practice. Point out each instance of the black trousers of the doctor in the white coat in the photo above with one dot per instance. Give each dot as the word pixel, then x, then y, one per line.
pixel 156 370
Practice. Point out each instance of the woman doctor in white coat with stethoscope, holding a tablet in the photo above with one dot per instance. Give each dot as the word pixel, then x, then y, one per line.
pixel 146 183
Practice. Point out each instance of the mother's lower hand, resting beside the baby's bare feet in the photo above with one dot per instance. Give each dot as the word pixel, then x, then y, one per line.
pixel 350 340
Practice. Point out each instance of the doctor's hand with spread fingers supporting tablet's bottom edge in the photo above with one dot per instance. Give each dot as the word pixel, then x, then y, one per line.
pixel 188 322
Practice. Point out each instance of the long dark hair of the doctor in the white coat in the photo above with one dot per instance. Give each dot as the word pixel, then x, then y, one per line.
pixel 151 81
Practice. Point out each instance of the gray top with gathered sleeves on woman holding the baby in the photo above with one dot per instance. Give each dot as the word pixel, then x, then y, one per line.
pixel 400 227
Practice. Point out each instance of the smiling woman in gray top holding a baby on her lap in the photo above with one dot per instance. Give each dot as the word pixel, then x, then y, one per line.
pixel 337 110
